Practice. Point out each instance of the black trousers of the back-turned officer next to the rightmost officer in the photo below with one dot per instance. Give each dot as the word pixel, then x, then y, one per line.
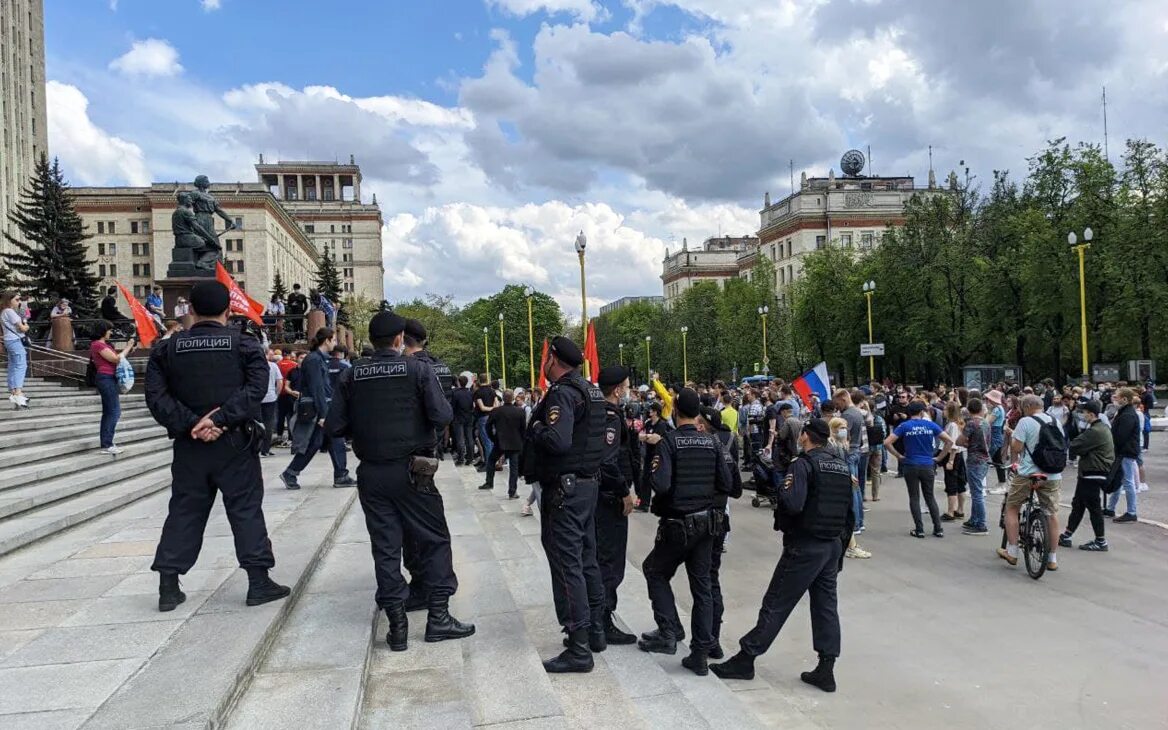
pixel 671 551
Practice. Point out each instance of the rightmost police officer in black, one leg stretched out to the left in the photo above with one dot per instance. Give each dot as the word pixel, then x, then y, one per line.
pixel 816 516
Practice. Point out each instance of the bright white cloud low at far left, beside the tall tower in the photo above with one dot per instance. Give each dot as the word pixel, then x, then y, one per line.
pixel 91 155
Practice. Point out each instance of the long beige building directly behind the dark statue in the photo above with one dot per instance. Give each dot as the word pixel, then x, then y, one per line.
pixel 133 239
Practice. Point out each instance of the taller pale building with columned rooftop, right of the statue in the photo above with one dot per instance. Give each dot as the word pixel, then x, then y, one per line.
pixel 325 199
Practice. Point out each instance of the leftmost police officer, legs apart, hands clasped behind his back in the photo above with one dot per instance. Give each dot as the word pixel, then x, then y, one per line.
pixel 205 385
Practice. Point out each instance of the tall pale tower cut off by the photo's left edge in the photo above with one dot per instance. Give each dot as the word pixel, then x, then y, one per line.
pixel 24 136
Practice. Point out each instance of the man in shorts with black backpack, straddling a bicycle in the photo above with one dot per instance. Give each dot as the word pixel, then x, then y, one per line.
pixel 1023 444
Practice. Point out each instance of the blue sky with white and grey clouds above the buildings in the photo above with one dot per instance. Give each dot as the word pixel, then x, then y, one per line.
pixel 492 131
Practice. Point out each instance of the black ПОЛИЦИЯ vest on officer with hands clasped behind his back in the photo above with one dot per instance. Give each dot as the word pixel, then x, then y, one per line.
pixel 205 367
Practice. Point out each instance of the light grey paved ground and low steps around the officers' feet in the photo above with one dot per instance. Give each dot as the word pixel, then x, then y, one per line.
pixel 936 632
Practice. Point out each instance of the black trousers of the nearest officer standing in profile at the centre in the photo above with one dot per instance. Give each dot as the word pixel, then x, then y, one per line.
pixel 568 533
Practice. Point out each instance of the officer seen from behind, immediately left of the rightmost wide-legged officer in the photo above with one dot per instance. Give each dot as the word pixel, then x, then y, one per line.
pixel 689 474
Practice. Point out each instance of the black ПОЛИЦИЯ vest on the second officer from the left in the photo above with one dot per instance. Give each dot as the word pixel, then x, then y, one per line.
pixel 386 411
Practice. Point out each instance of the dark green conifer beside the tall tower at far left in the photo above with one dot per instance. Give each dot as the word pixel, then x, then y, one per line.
pixel 51 255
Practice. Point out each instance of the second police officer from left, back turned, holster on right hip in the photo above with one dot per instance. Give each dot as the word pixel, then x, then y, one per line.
pixel 391 406
